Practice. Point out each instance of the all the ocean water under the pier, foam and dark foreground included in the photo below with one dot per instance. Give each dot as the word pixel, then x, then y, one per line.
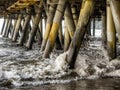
pixel 22 69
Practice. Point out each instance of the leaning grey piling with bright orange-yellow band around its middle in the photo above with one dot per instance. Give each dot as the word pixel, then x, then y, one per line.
pixel 55 27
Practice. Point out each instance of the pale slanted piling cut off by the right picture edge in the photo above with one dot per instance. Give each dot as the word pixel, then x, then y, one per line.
pixel 115 8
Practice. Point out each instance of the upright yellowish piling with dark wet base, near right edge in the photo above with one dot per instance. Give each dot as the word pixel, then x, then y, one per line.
pixel 111 35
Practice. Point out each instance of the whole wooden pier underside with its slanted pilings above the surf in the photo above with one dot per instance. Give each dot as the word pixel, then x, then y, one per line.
pixel 24 22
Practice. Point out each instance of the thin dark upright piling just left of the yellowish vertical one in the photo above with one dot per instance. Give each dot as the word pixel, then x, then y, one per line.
pixel 104 33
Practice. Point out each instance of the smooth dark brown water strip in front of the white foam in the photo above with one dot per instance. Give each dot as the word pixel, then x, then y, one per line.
pixel 99 84
